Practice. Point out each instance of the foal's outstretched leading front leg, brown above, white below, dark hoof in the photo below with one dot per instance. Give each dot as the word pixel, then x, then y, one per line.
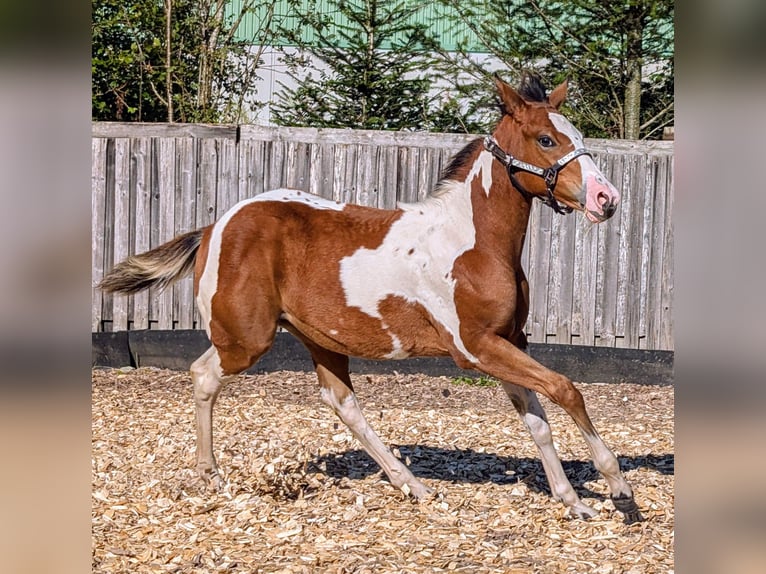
pixel 499 358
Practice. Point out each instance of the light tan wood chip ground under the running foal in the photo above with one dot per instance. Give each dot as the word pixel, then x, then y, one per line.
pixel 301 496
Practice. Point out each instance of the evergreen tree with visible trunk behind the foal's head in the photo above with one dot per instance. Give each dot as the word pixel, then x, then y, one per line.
pixel 617 55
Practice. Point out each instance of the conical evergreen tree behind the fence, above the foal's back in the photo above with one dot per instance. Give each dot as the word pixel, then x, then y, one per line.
pixel 360 65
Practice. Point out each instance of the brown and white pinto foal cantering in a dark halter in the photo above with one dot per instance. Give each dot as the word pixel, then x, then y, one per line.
pixel 440 277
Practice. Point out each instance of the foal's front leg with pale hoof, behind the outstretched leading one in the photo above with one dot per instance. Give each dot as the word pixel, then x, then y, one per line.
pixel 531 412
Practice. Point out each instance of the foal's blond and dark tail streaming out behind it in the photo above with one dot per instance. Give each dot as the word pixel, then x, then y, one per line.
pixel 156 268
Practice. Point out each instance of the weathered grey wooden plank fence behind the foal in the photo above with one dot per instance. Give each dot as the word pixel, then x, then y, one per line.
pixel 608 285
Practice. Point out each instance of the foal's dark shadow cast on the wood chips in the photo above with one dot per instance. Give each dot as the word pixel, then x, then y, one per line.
pixel 470 466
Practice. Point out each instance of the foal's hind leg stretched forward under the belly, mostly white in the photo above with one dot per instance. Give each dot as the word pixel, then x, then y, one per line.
pixel 337 392
